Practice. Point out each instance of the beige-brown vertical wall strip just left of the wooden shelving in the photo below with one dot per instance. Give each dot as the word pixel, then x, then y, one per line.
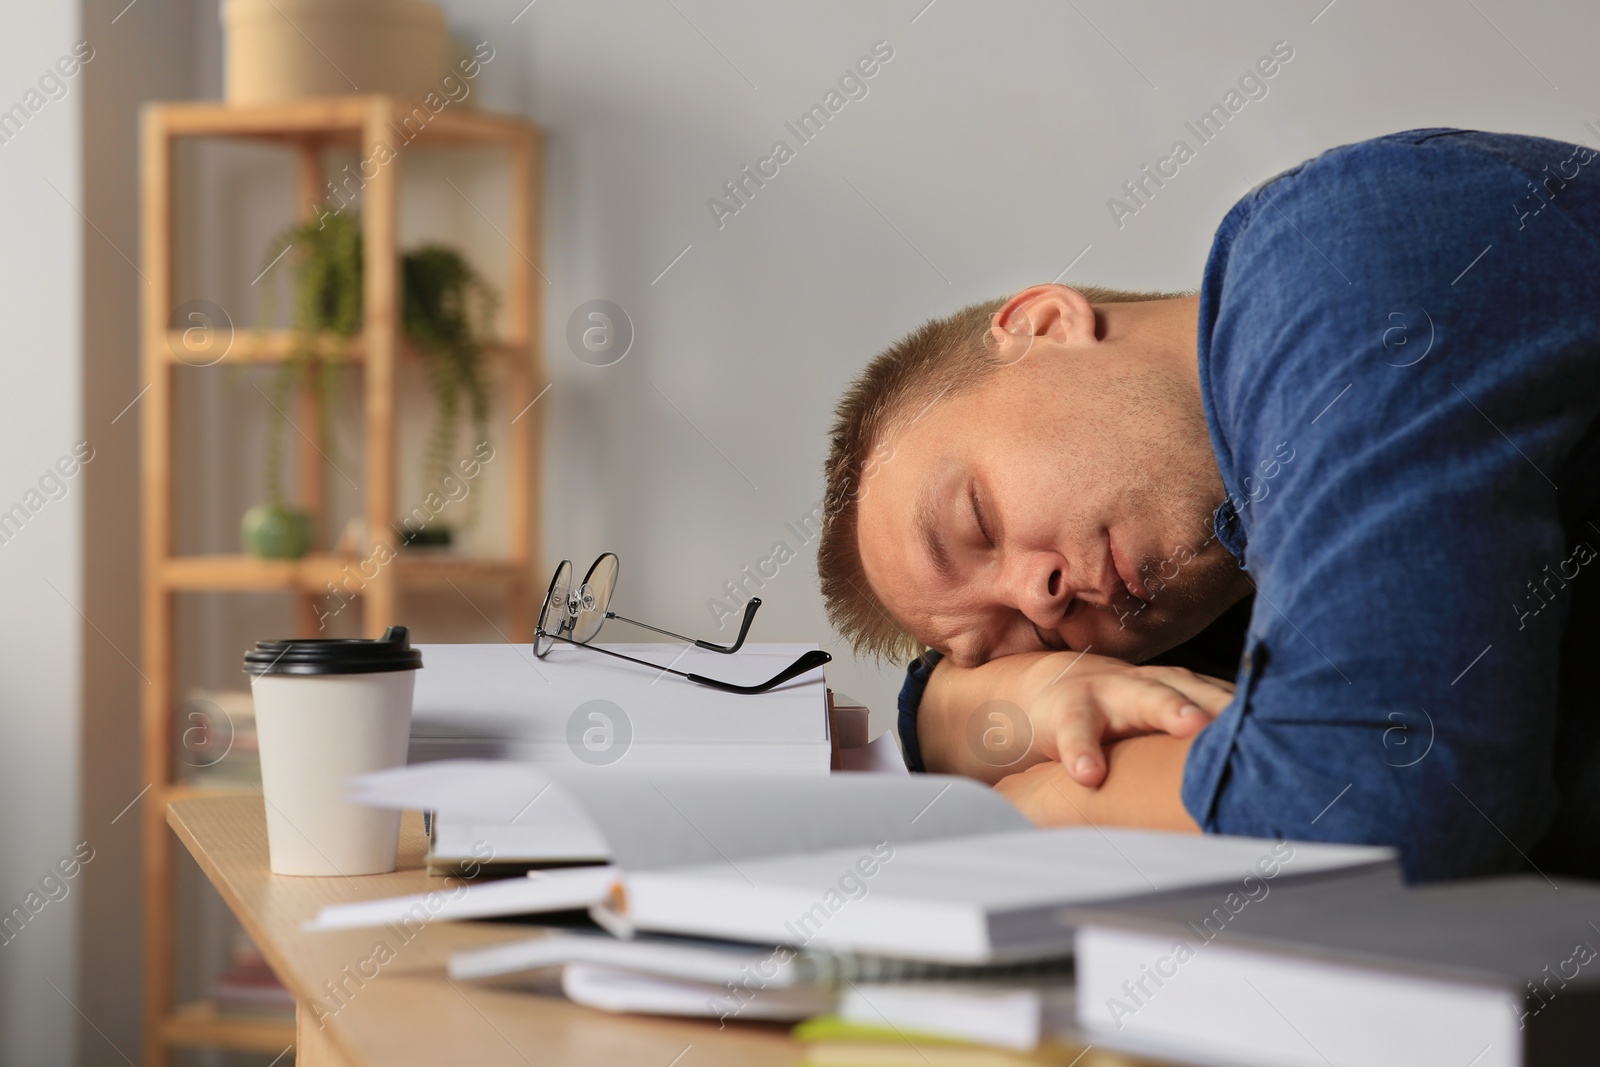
pixel 138 55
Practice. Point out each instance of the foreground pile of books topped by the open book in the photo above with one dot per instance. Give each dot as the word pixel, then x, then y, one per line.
pixel 870 905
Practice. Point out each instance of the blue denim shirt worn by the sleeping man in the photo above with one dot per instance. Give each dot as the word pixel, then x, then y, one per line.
pixel 1401 366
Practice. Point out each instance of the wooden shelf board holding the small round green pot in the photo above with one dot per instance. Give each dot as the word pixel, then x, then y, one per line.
pixel 313 573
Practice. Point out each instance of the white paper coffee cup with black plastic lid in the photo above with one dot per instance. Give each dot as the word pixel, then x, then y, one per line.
pixel 326 713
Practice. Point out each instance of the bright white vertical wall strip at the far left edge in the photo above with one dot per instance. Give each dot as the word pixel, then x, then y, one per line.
pixel 41 577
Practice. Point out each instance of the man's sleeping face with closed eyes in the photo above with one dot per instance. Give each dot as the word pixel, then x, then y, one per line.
pixel 1066 503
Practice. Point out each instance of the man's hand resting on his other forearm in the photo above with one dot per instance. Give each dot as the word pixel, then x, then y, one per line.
pixel 1018 711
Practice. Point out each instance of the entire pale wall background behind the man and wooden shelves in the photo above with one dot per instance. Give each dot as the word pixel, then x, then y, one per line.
pixel 980 161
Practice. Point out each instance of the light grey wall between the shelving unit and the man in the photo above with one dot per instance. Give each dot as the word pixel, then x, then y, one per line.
pixel 982 161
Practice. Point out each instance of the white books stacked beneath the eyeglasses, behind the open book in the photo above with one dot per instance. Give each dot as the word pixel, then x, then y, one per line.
pixel 580 711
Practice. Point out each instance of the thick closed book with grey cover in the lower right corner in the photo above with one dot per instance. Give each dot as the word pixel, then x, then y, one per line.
pixel 1494 973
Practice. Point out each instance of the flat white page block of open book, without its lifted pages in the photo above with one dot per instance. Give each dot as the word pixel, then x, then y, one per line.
pixel 966 900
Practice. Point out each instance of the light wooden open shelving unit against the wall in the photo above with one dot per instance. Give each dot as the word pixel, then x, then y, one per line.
pixel 310 129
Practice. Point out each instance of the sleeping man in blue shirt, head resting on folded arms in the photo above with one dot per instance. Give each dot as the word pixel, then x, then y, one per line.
pixel 1353 484
